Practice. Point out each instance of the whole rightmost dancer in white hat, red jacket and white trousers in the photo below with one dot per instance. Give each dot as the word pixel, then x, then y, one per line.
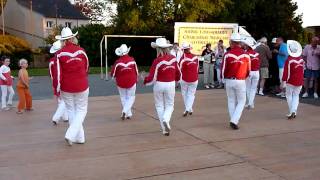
pixel 293 76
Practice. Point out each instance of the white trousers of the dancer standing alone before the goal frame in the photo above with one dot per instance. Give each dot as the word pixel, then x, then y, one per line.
pixel 127 97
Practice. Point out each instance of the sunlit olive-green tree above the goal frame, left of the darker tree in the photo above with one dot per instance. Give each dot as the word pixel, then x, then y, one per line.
pixel 158 16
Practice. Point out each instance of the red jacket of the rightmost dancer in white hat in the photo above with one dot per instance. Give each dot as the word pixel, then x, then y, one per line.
pixel 293 71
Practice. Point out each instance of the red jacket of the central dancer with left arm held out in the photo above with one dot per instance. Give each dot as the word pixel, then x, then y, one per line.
pixel 163 69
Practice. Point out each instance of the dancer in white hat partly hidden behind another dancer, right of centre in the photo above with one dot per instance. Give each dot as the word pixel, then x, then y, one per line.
pixel 253 79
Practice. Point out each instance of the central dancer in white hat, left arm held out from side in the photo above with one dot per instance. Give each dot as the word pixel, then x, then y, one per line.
pixel 164 72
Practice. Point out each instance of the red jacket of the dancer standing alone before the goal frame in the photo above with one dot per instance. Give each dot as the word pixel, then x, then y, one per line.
pixel 125 71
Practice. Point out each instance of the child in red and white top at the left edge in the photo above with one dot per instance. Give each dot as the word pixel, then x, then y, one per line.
pixel 6 81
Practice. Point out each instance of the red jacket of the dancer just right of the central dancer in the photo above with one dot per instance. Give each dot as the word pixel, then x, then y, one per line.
pixel 189 65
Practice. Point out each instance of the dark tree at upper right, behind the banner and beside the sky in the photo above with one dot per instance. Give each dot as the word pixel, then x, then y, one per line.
pixel 270 18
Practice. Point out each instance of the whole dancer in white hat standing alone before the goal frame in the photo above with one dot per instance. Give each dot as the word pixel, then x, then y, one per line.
pixel 125 71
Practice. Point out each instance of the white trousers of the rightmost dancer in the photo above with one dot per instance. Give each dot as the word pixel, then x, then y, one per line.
pixel 292 95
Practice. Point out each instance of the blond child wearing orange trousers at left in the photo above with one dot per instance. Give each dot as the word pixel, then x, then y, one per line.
pixel 25 98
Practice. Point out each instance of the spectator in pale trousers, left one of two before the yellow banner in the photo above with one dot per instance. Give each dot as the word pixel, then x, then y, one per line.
pixel 208 67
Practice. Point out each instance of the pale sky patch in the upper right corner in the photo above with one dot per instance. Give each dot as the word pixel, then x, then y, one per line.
pixel 310 10
